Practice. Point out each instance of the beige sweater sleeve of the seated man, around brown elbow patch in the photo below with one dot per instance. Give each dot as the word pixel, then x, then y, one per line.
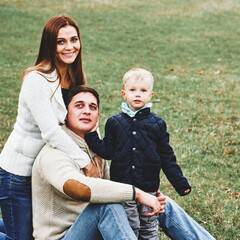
pixel 62 168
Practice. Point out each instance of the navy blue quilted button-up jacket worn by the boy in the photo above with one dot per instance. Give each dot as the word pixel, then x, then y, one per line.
pixel 139 149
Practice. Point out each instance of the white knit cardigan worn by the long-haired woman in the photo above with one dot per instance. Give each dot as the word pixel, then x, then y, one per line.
pixel 37 123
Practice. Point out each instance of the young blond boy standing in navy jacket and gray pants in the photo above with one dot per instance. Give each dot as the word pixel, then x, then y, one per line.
pixel 137 141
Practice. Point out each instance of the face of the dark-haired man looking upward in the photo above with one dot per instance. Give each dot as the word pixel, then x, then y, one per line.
pixel 82 113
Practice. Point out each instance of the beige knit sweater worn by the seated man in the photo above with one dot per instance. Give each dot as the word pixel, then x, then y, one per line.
pixel 53 211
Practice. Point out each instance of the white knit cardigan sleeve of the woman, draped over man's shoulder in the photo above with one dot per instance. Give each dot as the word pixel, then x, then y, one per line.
pixel 37 94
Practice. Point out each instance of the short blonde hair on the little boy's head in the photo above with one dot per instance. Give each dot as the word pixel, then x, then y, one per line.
pixel 138 74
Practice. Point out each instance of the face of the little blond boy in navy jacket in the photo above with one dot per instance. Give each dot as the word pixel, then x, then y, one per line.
pixel 137 93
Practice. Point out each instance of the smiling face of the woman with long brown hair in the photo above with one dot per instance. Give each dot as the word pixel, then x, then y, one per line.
pixel 68 45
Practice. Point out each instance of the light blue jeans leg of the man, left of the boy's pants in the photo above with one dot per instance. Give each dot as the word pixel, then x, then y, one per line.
pixel 101 221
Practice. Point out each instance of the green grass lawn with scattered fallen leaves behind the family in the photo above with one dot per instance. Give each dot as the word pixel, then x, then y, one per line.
pixel 192 49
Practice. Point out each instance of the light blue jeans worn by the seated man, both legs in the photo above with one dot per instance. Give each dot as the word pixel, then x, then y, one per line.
pixel 109 221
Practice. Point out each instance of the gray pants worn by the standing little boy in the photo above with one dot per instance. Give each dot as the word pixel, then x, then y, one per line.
pixel 143 226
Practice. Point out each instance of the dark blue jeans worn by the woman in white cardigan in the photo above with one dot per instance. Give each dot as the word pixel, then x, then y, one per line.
pixel 16 206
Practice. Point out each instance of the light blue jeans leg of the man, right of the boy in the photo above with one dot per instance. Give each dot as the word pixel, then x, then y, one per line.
pixel 178 225
